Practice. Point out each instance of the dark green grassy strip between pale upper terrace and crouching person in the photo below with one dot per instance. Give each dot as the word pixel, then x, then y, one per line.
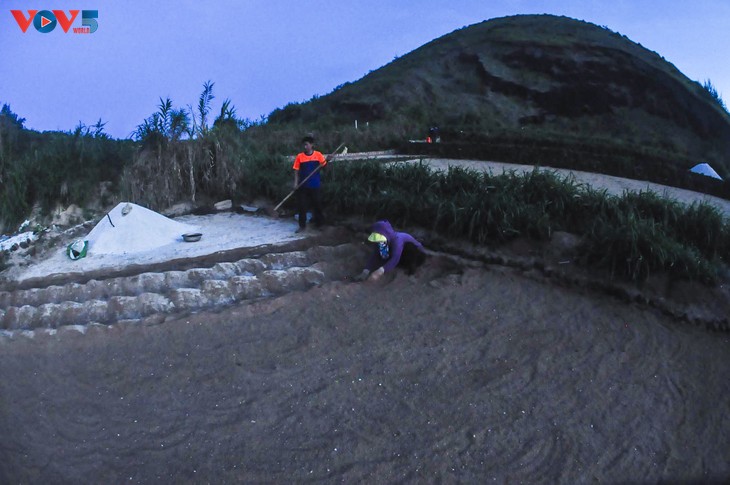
pixel 631 236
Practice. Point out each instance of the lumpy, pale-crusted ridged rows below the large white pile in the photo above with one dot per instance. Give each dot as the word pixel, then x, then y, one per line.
pixel 147 294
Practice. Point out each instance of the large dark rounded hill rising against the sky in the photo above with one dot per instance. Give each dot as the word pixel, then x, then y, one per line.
pixel 539 87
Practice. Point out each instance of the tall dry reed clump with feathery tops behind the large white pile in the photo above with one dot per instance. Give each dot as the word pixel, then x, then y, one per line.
pixel 180 156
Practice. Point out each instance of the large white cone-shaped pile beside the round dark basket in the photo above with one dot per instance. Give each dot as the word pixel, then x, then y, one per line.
pixel 131 228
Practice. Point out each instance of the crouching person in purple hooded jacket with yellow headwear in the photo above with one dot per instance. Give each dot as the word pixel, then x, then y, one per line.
pixel 391 249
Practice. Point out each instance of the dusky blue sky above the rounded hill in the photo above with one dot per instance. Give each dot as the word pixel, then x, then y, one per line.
pixel 263 54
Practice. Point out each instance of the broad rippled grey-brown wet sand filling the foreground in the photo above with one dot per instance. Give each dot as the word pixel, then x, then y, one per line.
pixel 452 375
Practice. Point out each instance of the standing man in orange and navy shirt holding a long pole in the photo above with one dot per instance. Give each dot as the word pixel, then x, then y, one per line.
pixel 309 162
